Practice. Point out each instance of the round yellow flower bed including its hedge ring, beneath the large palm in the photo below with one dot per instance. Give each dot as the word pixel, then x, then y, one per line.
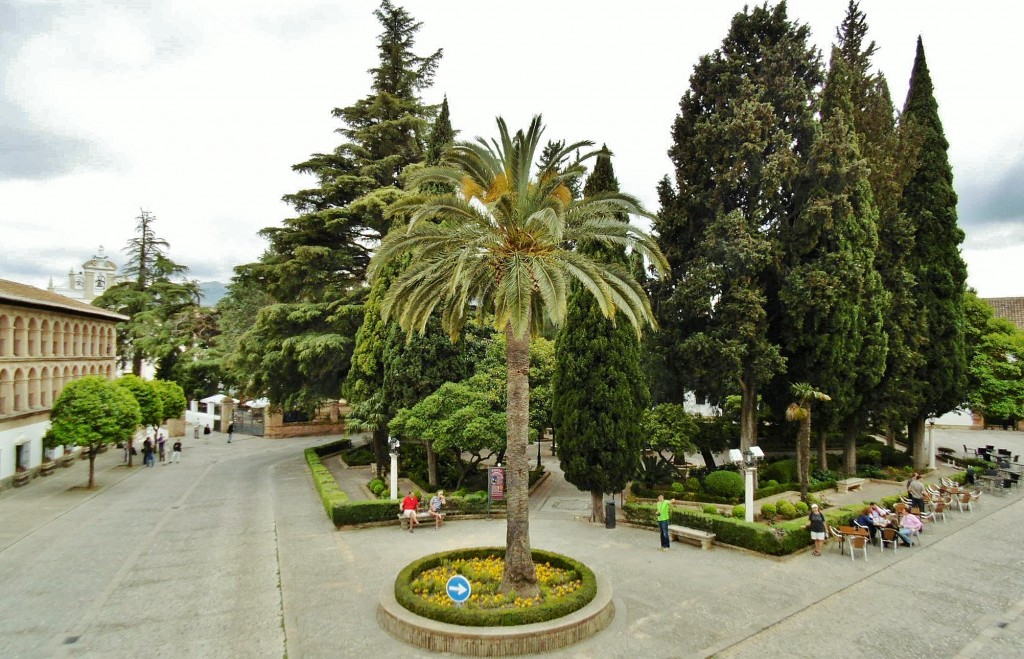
pixel 567 586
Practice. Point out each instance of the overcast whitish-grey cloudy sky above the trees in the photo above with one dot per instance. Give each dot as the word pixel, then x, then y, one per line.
pixel 196 110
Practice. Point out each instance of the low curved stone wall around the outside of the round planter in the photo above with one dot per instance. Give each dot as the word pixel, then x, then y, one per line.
pixel 496 642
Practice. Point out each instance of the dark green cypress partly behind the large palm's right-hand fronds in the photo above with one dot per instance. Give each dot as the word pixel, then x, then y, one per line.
pixel 601 393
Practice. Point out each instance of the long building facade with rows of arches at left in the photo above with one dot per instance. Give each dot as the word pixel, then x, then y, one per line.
pixel 47 341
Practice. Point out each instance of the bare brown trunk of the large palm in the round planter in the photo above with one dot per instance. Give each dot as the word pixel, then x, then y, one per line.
pixel 521 576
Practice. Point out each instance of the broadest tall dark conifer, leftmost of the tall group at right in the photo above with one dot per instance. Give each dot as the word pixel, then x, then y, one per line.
pixel 740 145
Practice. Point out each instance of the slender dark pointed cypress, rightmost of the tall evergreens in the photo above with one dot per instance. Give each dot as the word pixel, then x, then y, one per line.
pixel 930 202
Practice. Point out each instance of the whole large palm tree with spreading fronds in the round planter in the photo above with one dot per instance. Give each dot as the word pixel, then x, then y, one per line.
pixel 503 244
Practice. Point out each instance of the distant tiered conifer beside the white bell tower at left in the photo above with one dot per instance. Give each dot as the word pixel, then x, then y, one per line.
pixel 154 294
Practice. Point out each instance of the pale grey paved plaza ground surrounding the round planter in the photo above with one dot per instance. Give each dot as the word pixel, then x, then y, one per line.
pixel 230 554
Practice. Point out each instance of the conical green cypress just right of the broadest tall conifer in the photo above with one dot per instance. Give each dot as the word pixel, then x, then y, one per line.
pixel 833 298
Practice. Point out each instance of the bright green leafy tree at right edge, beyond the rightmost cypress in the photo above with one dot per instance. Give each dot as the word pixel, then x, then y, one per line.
pixel 996 374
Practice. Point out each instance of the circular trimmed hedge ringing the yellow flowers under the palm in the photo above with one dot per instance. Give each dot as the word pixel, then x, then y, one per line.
pixel 494 619
